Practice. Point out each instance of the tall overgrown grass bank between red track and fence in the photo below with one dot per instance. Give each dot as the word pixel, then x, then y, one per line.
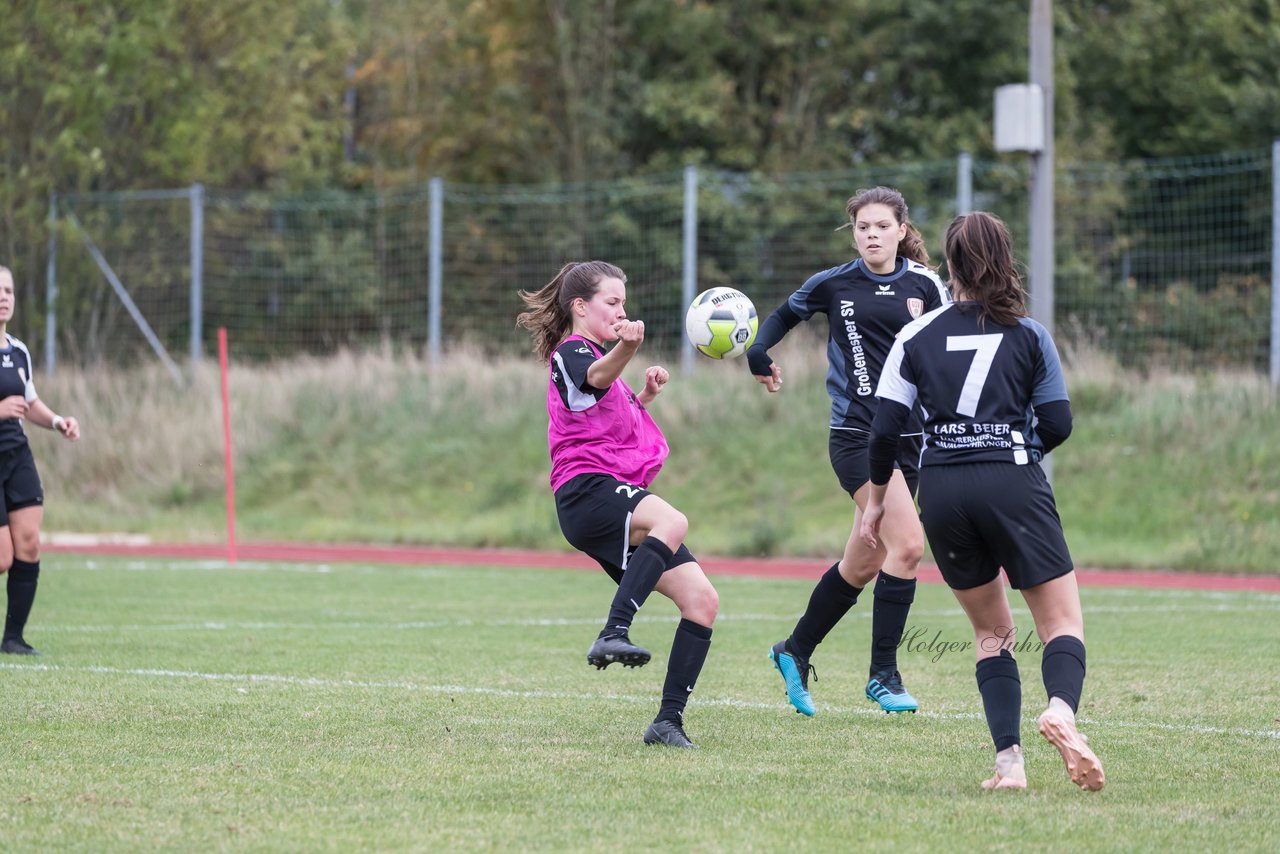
pixel 1160 473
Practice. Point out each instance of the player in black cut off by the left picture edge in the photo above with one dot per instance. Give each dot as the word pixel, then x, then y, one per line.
pixel 24 509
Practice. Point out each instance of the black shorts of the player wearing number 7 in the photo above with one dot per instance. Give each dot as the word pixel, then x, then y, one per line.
pixel 981 517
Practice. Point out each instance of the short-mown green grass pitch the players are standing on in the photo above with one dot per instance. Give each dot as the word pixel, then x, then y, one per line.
pixel 186 706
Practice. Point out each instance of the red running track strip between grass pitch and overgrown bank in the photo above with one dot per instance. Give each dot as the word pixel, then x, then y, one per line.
pixel 752 567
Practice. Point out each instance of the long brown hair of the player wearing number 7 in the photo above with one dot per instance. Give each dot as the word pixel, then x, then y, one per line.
pixel 982 268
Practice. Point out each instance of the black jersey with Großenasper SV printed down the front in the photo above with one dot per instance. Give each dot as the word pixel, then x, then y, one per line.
pixel 865 314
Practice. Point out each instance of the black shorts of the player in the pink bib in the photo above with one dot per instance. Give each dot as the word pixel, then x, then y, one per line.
pixel 595 514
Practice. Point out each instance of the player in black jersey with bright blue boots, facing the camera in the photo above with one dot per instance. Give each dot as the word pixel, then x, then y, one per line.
pixel 867 302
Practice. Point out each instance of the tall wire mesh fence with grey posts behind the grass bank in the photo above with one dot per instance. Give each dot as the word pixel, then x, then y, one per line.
pixel 1160 264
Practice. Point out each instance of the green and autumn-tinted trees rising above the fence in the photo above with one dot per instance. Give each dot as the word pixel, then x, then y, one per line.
pixel 381 94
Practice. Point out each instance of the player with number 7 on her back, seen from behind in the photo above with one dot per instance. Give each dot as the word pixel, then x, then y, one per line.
pixel 990 385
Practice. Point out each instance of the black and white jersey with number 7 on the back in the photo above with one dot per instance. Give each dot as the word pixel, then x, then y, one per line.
pixel 980 389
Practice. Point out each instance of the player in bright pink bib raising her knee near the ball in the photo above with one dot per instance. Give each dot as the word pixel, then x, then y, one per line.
pixel 606 450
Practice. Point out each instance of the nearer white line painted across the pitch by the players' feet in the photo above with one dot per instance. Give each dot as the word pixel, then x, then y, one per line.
pixel 728 702
